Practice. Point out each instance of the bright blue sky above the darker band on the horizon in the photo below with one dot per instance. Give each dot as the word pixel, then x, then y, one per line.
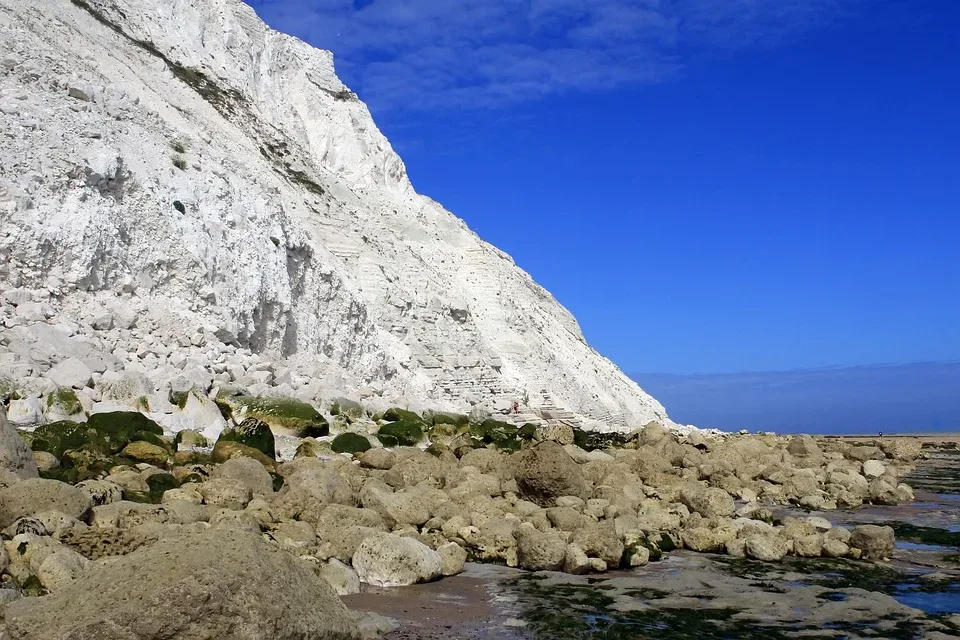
pixel 708 185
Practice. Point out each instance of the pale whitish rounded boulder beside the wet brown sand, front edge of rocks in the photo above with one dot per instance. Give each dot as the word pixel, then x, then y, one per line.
pixel 388 560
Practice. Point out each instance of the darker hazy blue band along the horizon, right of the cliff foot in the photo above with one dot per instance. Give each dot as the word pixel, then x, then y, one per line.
pixel 902 398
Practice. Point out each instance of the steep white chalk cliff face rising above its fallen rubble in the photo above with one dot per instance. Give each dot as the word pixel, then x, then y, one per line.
pixel 181 159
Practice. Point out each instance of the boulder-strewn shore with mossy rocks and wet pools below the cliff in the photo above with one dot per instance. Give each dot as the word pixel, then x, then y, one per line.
pixel 506 531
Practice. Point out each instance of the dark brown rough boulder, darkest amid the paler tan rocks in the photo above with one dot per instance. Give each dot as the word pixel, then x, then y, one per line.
pixel 546 472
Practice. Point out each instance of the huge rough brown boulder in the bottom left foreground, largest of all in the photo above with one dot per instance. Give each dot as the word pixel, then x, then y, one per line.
pixel 222 583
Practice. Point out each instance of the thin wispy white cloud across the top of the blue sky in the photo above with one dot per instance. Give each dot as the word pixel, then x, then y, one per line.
pixel 429 54
